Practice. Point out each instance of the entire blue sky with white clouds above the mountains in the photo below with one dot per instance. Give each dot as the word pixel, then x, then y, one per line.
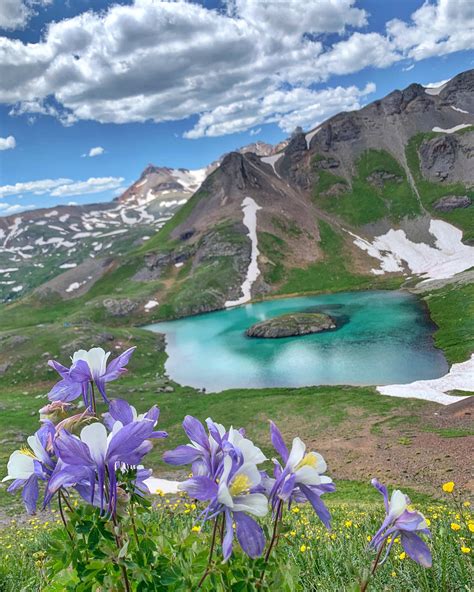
pixel 92 91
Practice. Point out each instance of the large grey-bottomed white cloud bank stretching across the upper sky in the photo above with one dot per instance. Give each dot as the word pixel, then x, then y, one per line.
pixel 165 61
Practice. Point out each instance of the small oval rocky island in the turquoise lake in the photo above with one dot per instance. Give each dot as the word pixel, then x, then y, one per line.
pixel 292 324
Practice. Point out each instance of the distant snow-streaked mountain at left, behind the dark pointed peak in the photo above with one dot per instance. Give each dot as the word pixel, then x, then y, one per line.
pixel 79 243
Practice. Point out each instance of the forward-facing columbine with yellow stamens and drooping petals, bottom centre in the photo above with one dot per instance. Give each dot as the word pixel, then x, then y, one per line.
pixel 234 498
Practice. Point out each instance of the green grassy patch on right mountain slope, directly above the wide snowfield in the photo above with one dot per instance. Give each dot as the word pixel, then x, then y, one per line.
pixel 364 202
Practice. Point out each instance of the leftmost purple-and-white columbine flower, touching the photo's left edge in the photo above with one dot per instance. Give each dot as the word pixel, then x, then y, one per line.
pixel 28 466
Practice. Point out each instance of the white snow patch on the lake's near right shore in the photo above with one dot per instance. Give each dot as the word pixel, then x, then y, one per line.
pixel 460 377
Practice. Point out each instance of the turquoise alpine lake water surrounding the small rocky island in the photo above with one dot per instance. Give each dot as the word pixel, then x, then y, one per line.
pixel 383 338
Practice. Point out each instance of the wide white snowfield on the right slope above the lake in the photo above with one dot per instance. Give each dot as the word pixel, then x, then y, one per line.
pixel 395 250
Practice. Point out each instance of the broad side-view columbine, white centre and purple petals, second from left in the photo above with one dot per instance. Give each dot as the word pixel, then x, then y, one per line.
pixel 91 460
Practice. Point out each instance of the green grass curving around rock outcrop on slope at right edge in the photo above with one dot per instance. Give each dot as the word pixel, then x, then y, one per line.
pixel 431 192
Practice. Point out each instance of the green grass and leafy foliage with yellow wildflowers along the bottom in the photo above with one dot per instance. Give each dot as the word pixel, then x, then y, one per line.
pixel 173 553
